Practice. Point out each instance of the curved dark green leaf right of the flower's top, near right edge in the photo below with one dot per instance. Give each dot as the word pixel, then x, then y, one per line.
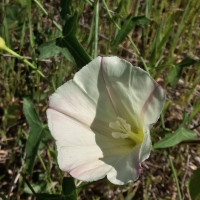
pixel 175 74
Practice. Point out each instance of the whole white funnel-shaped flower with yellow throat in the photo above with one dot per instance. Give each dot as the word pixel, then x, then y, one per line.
pixel 101 120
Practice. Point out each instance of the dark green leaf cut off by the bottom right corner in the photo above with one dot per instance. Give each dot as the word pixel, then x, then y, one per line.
pixel 194 185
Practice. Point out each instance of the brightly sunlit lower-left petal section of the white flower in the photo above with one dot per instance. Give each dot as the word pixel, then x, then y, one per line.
pixel 81 152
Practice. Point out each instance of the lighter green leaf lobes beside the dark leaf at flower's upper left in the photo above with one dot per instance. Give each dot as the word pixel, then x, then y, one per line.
pixel 49 49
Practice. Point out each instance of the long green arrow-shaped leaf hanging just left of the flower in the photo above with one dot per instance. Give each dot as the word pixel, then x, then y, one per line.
pixel 36 133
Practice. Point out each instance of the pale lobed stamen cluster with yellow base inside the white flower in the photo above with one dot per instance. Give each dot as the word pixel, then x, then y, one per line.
pixel 123 130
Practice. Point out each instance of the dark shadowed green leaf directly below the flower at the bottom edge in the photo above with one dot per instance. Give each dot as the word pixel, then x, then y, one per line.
pixel 69 188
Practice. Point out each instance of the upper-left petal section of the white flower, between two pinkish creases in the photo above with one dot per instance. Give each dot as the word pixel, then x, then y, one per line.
pixel 78 99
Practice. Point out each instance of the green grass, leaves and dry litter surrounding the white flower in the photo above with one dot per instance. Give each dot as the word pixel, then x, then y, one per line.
pixel 162 37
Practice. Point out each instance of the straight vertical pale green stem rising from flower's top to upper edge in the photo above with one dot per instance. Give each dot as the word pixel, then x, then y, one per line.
pixel 96 28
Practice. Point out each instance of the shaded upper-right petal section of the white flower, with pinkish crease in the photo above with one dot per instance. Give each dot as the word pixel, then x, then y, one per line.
pixel 135 94
